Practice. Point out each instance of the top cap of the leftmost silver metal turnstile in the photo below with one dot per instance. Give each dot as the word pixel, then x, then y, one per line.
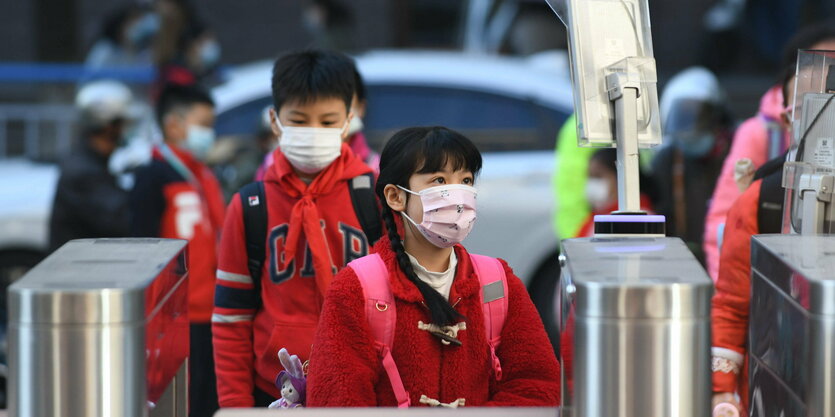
pixel 99 281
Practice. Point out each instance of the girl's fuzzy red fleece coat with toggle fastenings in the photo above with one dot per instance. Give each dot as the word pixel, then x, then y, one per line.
pixel 345 369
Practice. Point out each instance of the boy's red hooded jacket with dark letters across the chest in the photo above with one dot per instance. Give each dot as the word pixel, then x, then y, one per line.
pixel 248 329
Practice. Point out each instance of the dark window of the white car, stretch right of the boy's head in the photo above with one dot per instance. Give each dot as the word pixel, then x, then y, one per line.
pixel 494 122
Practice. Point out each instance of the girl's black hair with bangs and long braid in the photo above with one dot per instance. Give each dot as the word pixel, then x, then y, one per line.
pixel 420 150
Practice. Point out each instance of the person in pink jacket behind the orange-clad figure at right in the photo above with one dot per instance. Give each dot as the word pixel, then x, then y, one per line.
pixel 758 139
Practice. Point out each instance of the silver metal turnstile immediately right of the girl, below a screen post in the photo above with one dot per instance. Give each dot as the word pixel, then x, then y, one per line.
pixel 639 312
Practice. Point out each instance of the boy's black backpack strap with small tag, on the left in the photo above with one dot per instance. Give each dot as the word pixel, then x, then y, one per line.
pixel 254 208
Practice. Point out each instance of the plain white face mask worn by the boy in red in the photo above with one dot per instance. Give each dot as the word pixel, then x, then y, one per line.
pixel 310 149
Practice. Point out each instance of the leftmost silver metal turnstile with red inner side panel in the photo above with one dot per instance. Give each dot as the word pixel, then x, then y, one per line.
pixel 100 328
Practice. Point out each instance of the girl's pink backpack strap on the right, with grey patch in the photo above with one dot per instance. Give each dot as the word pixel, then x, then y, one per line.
pixel 494 302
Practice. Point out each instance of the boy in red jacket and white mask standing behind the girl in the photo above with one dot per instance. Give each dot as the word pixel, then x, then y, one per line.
pixel 313 230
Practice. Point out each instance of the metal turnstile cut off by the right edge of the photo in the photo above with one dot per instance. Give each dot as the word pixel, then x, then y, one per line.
pixel 791 364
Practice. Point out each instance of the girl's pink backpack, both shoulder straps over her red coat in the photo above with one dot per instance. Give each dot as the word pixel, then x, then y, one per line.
pixel 382 316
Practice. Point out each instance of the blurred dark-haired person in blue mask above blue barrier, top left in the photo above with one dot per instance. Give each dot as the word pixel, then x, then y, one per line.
pixel 126 39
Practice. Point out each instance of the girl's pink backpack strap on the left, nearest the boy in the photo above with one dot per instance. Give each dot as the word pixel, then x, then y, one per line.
pixel 382 316
